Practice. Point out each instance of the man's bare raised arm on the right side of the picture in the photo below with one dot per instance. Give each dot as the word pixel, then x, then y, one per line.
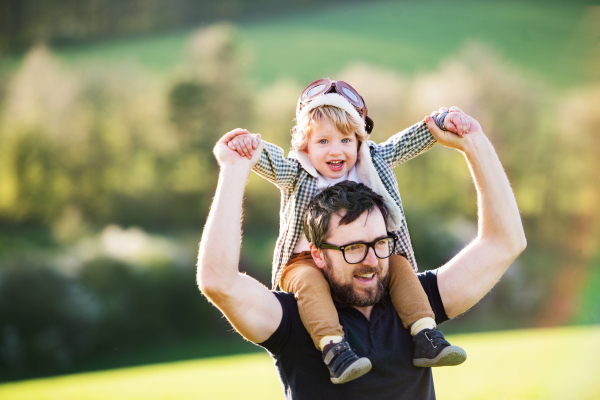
pixel 471 274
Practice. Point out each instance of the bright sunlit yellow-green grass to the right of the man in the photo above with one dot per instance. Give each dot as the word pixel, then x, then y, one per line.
pixel 560 363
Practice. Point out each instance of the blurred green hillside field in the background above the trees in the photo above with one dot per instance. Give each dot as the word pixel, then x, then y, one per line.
pixel 546 38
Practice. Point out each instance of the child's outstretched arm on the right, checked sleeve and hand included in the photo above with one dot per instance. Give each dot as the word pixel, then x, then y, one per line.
pixel 417 139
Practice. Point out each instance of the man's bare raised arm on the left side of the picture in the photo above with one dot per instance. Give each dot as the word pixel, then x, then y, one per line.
pixel 249 306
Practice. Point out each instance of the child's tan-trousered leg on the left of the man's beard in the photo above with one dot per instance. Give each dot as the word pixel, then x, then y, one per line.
pixel 303 278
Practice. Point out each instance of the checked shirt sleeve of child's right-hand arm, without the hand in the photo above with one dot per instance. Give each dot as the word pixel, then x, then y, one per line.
pixel 406 144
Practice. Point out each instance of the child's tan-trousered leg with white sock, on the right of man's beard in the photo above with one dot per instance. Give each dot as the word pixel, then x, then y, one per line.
pixel 408 296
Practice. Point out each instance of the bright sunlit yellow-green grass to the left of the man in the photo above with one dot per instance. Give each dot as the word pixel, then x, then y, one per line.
pixel 236 377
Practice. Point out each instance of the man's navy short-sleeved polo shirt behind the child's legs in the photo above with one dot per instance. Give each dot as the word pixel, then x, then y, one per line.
pixel 384 340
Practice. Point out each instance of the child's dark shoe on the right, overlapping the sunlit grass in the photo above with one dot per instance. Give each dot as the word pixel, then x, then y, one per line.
pixel 433 350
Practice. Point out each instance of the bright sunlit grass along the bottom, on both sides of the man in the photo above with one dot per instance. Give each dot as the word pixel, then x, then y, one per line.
pixel 559 363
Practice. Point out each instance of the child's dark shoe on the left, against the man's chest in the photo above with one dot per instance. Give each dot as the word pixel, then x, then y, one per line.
pixel 343 363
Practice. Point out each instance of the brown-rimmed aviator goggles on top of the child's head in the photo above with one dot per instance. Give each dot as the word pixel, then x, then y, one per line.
pixel 325 86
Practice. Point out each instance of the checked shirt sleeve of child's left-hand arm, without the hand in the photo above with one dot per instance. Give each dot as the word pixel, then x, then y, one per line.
pixel 277 169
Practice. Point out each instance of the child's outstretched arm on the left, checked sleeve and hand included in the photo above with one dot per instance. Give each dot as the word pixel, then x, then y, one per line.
pixel 272 165
